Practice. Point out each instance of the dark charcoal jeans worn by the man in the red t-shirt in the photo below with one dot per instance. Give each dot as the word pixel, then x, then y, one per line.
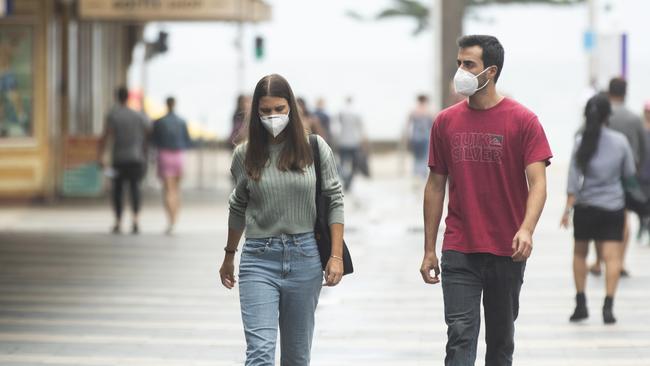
pixel 464 278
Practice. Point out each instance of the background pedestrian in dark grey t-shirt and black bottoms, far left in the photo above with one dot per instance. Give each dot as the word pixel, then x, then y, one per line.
pixel 128 131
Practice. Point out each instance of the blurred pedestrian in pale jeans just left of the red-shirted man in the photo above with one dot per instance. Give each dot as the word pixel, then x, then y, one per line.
pixel 418 128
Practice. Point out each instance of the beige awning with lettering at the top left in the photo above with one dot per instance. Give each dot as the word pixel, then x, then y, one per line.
pixel 170 10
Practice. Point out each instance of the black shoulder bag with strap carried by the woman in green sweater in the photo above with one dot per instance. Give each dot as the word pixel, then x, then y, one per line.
pixel 321 228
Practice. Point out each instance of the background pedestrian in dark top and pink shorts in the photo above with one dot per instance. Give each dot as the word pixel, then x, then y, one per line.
pixel 171 138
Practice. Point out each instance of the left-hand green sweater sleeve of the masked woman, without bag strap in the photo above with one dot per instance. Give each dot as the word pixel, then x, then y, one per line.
pixel 239 196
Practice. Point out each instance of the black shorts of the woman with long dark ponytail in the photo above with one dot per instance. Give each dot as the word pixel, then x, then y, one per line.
pixel 594 223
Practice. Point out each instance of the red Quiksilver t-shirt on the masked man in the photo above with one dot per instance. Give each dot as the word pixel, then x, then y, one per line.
pixel 485 154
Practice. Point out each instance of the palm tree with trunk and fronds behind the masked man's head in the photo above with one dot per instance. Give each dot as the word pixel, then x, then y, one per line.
pixel 452 23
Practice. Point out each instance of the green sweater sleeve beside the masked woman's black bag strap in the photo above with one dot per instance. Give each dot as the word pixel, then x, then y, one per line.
pixel 330 184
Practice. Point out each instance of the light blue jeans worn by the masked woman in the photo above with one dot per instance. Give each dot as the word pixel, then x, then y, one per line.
pixel 280 280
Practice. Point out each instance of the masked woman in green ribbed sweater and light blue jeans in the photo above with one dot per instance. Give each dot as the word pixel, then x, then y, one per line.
pixel 273 203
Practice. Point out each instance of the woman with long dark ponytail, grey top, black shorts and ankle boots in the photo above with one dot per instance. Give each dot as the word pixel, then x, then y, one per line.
pixel 601 162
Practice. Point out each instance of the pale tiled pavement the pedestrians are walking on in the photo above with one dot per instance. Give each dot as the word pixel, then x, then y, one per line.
pixel 71 294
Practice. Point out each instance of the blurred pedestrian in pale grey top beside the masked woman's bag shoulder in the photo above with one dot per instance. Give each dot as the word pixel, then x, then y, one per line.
pixel 351 140
